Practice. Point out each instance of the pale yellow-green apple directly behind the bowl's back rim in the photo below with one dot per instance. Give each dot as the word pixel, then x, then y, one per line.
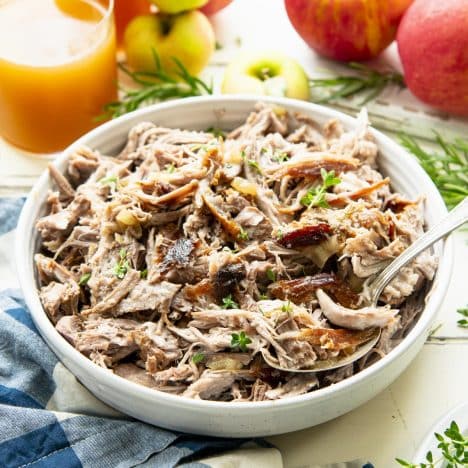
pixel 270 73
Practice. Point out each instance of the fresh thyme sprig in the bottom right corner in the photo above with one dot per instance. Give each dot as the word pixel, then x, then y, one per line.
pixel 453 451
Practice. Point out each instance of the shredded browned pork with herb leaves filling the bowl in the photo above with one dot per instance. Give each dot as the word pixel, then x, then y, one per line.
pixel 182 261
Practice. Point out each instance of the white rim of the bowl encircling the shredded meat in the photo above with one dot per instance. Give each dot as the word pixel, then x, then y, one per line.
pixel 67 353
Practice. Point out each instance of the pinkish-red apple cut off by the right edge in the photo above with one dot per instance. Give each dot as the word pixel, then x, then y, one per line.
pixel 433 46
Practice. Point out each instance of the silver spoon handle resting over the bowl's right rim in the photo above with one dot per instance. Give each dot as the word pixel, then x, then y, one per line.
pixel 457 217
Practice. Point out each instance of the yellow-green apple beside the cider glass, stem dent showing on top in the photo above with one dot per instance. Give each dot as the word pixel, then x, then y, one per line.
pixel 188 36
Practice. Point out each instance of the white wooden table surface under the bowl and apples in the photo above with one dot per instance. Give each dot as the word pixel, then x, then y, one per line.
pixel 394 422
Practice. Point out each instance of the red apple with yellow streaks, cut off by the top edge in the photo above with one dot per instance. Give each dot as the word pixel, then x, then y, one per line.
pixel 346 29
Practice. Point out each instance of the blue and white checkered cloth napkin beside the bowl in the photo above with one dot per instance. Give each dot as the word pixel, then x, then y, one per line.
pixel 48 419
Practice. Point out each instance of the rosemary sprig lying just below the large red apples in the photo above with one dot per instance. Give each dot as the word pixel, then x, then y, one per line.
pixel 367 81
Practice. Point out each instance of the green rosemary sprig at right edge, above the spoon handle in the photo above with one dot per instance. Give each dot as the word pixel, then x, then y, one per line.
pixel 447 166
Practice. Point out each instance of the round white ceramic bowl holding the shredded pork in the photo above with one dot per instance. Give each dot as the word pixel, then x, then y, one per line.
pixel 217 418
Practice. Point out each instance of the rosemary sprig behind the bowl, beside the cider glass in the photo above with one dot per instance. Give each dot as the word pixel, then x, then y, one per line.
pixel 156 85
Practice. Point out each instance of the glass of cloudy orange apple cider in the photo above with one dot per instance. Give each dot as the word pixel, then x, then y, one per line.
pixel 57 70
